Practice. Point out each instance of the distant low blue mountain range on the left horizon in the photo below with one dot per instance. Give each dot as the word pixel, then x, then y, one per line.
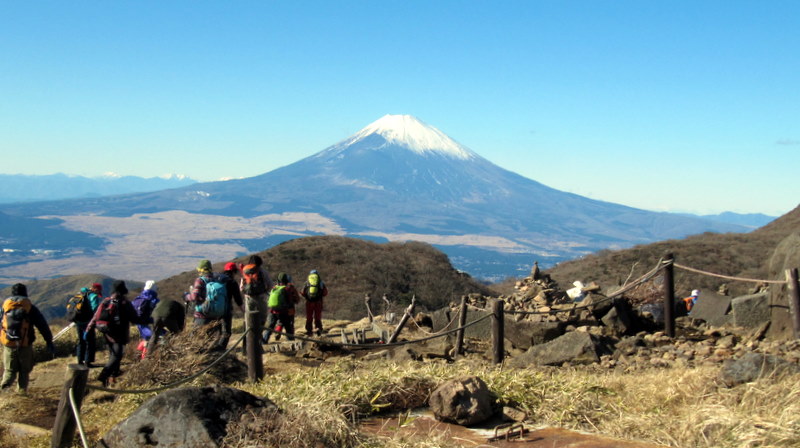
pixel 30 188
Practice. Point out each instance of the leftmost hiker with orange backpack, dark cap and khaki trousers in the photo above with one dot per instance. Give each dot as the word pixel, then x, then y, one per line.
pixel 19 317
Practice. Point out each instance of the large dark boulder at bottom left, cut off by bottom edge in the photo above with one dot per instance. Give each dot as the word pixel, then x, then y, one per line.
pixel 187 417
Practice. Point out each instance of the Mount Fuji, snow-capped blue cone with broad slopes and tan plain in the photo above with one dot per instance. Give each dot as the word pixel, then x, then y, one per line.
pixel 396 179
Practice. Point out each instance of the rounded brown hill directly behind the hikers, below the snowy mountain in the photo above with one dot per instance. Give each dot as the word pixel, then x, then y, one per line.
pixel 352 268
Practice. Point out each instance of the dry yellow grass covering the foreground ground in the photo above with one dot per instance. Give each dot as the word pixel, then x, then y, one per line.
pixel 674 407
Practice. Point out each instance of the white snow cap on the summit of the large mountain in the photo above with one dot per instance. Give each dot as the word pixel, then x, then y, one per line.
pixel 409 132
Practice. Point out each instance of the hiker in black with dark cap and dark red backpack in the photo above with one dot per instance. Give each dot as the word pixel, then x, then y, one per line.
pixel 113 319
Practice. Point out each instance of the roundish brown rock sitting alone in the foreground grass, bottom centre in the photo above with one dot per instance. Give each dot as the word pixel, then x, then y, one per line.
pixel 464 401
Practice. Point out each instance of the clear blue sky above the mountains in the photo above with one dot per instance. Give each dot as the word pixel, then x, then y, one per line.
pixel 680 106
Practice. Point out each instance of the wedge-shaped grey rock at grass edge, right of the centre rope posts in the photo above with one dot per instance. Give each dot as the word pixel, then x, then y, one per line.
pixel 573 347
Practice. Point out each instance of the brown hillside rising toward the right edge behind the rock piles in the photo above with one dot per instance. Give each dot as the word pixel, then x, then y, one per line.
pixel 736 254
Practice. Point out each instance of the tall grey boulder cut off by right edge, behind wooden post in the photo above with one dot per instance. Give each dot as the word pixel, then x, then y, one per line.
pixel 786 256
